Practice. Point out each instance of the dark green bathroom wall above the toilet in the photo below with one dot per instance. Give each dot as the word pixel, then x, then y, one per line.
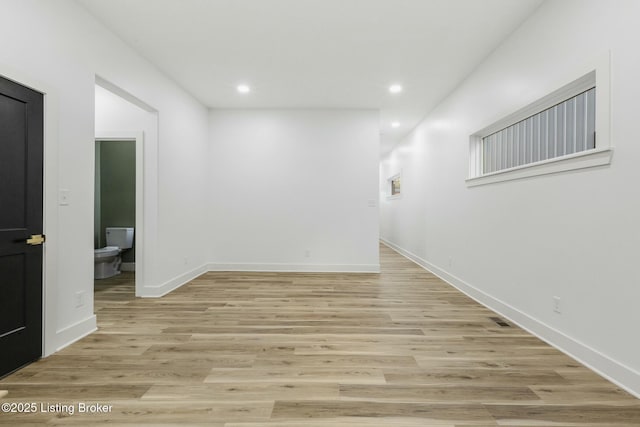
pixel 115 201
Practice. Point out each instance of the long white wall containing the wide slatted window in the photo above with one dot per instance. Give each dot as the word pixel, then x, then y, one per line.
pixel 517 244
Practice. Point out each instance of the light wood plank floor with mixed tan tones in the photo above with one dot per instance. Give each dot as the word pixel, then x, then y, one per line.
pixel 252 349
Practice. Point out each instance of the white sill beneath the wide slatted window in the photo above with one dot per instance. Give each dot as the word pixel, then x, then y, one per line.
pixel 581 160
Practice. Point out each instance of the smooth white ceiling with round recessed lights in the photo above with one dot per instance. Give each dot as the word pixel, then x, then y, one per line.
pixel 317 53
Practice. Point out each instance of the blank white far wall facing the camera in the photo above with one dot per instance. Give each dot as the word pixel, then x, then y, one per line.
pixel 284 182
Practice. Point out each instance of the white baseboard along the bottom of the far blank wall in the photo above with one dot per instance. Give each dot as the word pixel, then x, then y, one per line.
pixel 296 268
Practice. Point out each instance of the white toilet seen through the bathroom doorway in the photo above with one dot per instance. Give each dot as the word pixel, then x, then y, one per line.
pixel 107 260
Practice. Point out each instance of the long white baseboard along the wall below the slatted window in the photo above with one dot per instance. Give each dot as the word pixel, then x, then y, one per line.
pixel 614 371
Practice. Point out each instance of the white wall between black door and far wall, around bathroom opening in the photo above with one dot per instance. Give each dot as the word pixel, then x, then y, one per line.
pixel 58 48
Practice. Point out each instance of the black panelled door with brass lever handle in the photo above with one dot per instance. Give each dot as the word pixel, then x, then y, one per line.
pixel 21 154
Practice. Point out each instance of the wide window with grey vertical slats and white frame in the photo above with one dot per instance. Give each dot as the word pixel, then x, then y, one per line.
pixel 567 129
